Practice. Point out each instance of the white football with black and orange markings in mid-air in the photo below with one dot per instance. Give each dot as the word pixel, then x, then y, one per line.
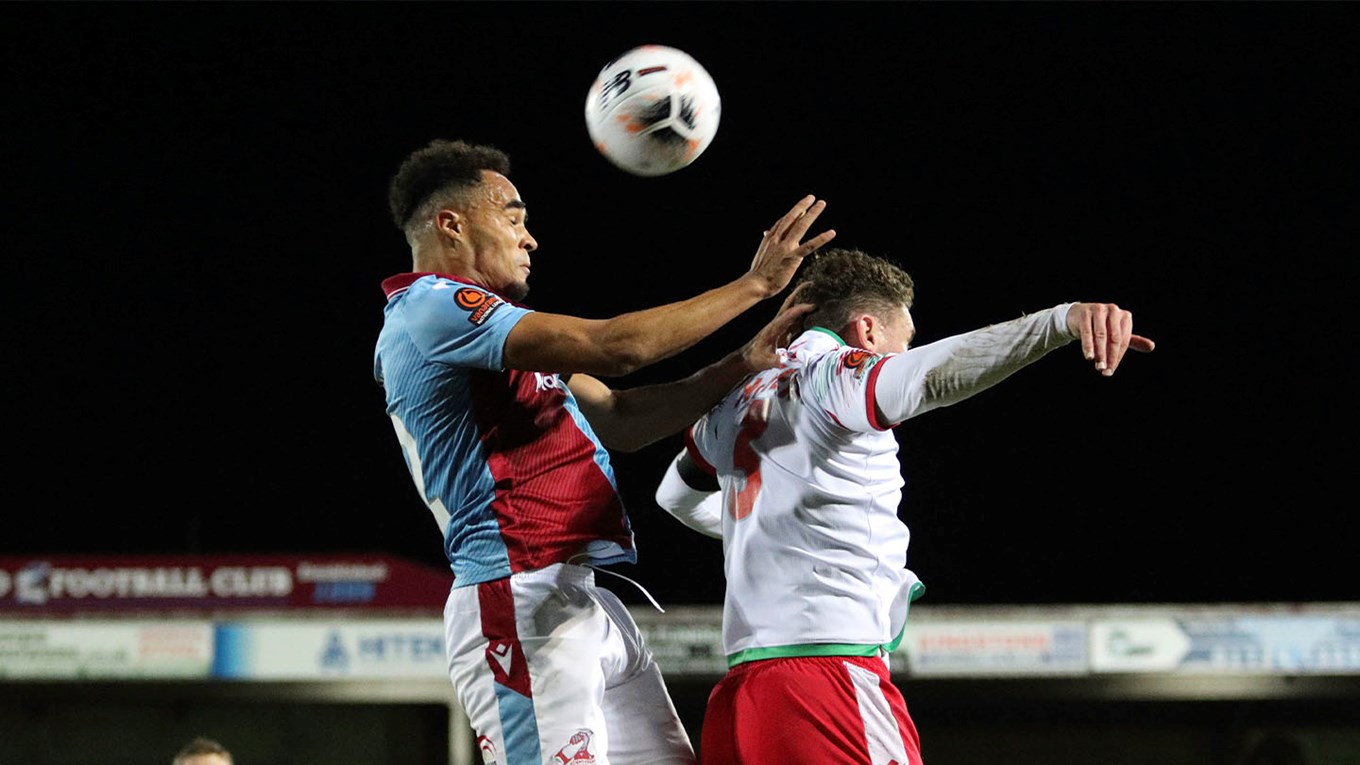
pixel 653 111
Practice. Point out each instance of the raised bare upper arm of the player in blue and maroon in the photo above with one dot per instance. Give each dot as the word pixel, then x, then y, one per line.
pixel 611 348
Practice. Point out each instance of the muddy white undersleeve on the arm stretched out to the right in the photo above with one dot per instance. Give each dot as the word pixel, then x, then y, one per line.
pixel 953 370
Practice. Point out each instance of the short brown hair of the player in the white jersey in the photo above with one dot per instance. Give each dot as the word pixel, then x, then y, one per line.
pixel 843 282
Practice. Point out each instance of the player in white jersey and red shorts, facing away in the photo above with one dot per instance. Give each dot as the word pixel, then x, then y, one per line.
pixel 798 473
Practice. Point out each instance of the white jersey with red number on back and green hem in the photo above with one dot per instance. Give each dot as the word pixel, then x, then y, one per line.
pixel 815 553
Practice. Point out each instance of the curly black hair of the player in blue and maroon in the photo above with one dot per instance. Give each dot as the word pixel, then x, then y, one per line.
pixel 440 172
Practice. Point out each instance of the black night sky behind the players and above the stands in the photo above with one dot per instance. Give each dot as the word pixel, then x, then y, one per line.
pixel 195 232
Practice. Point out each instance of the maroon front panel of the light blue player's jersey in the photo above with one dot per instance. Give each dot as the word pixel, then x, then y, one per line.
pixel 551 499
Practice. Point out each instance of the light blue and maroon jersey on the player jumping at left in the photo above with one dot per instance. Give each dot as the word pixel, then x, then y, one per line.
pixel 505 461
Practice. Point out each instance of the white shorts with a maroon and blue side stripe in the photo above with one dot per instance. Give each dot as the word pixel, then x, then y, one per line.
pixel 551 669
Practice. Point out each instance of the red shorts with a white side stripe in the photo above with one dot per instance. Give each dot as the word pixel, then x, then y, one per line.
pixel 814 710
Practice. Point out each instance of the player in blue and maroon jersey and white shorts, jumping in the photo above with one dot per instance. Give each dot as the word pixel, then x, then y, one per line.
pixel 505 431
